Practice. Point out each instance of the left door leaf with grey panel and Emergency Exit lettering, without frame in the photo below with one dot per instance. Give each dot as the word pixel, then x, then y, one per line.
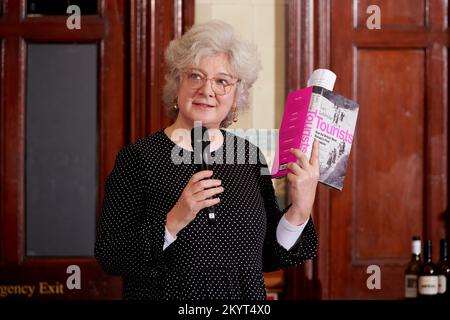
pixel 37 45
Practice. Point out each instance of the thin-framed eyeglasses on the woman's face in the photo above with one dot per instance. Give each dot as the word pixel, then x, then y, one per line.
pixel 220 85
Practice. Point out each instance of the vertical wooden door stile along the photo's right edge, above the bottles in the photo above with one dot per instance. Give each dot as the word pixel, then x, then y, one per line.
pixel 436 151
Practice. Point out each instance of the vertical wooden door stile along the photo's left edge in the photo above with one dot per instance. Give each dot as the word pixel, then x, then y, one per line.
pixel 13 150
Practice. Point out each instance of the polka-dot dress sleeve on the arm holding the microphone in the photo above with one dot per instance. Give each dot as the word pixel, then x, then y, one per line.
pixel 128 243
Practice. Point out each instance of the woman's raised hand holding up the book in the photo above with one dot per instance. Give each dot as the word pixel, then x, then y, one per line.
pixel 302 185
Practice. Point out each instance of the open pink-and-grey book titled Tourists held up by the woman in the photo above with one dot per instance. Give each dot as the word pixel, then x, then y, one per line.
pixel 316 112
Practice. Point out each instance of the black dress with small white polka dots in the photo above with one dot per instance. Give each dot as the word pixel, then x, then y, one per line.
pixel 221 261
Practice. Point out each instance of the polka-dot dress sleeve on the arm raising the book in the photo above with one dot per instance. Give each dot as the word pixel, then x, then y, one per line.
pixel 275 256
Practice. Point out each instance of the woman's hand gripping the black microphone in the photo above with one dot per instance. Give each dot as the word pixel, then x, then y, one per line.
pixel 196 196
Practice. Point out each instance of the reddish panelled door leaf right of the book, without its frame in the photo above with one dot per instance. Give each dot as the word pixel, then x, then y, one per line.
pixel 389 188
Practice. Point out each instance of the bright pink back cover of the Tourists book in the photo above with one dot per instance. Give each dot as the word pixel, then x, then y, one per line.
pixel 291 130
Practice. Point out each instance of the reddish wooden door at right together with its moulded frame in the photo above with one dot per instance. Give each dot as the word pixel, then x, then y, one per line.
pixel 397 180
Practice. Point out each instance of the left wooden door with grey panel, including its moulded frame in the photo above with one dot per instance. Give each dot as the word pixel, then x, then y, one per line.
pixel 115 61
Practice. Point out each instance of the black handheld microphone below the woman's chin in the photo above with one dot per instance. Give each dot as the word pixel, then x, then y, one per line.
pixel 201 146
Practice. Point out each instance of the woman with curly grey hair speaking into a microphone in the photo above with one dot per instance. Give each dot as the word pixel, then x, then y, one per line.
pixel 154 231
